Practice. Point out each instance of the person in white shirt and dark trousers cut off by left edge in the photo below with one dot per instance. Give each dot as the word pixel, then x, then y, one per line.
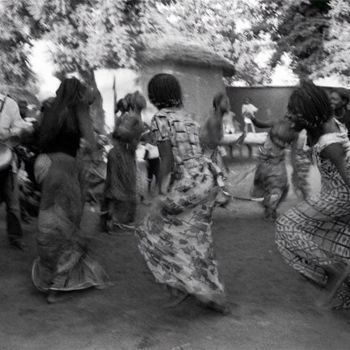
pixel 12 127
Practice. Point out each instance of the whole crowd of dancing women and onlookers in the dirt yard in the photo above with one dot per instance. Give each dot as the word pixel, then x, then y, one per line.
pixel 188 163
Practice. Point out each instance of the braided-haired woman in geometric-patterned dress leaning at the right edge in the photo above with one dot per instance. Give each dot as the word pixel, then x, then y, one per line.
pixel 314 236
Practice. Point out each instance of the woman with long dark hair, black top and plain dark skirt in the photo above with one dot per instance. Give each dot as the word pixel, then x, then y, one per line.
pixel 64 264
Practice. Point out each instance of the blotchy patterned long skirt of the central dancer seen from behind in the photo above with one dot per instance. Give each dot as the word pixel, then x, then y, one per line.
pixel 176 238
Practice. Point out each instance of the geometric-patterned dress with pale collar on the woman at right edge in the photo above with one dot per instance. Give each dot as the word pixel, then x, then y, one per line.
pixel 316 232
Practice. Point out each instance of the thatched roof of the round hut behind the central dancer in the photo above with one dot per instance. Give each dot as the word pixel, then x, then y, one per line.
pixel 180 50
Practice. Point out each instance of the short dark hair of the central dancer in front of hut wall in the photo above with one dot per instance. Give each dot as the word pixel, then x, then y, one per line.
pixel 164 91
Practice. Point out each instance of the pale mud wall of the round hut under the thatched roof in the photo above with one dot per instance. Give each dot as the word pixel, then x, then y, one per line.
pixel 199 85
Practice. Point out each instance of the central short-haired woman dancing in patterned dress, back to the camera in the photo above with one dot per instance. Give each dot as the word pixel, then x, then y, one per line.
pixel 175 238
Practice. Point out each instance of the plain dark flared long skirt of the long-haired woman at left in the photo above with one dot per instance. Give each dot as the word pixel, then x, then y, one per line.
pixel 63 263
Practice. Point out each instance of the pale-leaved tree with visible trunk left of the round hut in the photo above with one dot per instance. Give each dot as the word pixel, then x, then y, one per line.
pixel 92 34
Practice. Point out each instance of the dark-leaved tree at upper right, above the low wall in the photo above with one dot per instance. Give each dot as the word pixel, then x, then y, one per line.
pixel 300 29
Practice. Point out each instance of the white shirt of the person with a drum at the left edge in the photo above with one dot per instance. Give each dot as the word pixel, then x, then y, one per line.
pixel 11 123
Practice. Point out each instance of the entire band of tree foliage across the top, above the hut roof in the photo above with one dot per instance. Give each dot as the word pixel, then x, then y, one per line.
pixel 91 34
